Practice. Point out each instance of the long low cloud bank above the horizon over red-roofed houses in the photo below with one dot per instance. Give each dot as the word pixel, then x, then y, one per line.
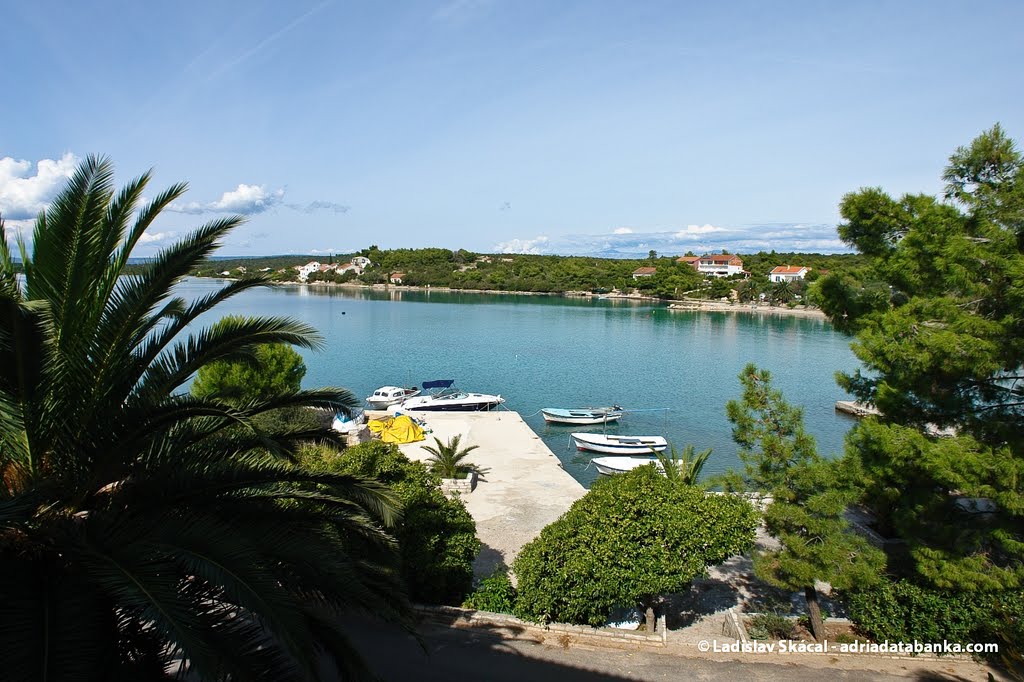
pixel 699 239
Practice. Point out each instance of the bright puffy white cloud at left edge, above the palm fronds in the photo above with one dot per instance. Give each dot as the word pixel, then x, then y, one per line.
pixel 23 195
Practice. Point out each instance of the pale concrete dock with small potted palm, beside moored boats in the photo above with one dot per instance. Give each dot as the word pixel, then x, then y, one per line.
pixel 524 490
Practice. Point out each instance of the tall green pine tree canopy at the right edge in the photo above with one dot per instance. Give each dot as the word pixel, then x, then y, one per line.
pixel 940 329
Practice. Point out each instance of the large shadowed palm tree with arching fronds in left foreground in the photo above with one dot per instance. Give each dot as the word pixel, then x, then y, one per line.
pixel 140 525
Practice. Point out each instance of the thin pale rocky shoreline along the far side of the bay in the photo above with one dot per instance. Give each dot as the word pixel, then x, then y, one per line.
pixel 675 306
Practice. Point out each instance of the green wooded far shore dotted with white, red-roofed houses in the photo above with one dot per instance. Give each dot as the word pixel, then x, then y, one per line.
pixel 774 279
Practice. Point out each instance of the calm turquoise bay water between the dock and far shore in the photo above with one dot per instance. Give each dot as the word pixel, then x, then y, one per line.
pixel 550 352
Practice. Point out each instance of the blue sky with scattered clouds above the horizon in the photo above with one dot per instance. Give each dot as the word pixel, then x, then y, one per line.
pixel 521 126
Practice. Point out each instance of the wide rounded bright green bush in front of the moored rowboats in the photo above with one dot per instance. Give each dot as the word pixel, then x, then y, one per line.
pixel 633 538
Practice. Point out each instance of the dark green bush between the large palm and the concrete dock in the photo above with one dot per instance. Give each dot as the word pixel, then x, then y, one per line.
pixel 437 537
